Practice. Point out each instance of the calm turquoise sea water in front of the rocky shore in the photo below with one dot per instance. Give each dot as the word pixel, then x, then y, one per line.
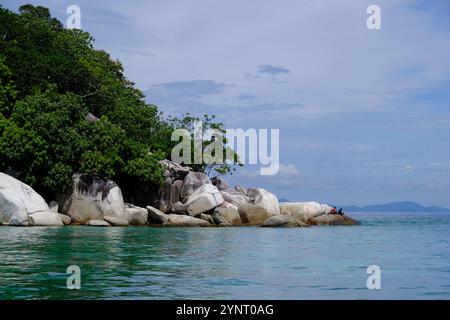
pixel 412 250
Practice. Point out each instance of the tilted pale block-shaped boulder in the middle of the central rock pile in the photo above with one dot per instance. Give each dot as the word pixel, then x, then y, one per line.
pixel 205 198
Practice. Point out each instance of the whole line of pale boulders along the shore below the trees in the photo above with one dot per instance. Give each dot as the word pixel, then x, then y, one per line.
pixel 187 198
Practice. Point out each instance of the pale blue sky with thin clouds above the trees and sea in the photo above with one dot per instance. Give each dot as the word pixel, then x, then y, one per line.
pixel 364 115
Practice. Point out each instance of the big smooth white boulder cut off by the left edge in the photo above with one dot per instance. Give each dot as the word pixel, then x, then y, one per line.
pixel 18 201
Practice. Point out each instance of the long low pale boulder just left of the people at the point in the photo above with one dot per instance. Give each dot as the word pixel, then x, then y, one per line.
pixel 304 210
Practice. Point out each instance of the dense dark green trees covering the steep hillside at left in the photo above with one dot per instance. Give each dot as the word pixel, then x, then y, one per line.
pixel 51 79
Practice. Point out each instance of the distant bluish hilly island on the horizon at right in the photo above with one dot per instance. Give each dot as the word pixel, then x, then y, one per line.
pixel 402 206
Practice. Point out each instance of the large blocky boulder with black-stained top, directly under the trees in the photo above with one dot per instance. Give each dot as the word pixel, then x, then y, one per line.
pixel 92 198
